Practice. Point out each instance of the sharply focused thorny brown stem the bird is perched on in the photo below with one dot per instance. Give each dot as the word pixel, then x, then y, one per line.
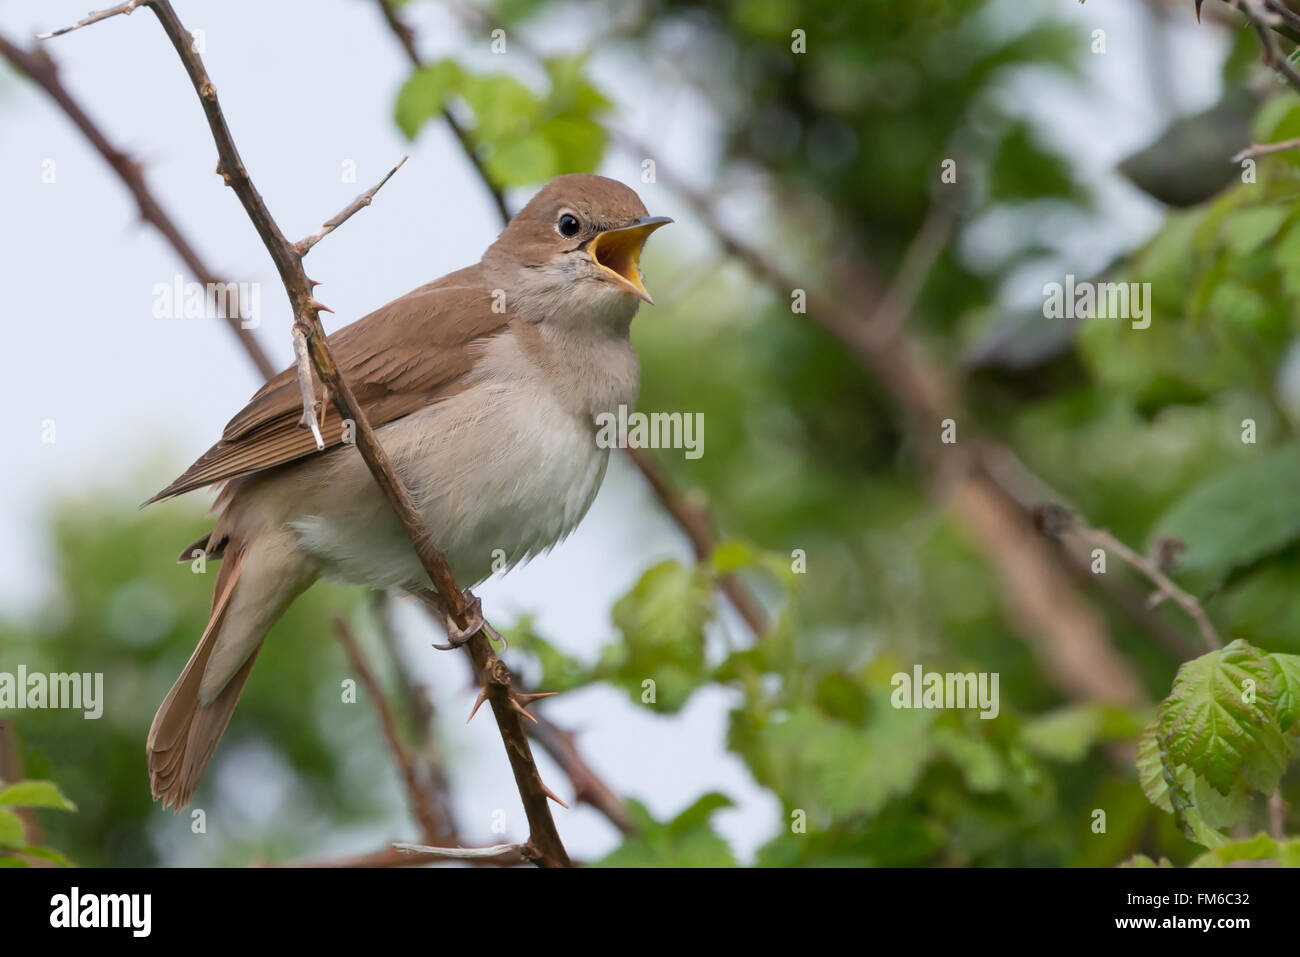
pixel 544 846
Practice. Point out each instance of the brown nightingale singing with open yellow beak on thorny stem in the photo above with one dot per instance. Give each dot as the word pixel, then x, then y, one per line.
pixel 483 388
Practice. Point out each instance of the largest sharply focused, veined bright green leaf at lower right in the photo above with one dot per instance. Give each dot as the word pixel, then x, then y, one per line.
pixel 1211 725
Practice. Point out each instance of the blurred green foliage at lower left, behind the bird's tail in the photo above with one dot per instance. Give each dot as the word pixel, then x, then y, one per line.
pixel 124 608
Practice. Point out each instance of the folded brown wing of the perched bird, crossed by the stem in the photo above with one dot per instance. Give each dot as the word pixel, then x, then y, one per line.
pixel 398 360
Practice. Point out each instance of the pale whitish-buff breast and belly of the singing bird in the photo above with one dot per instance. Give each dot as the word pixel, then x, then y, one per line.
pixel 501 473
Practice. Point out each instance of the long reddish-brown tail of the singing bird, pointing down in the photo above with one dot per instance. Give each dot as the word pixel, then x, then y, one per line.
pixel 254 588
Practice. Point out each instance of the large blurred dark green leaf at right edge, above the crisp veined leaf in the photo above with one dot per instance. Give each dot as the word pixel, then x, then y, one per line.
pixel 1240 516
